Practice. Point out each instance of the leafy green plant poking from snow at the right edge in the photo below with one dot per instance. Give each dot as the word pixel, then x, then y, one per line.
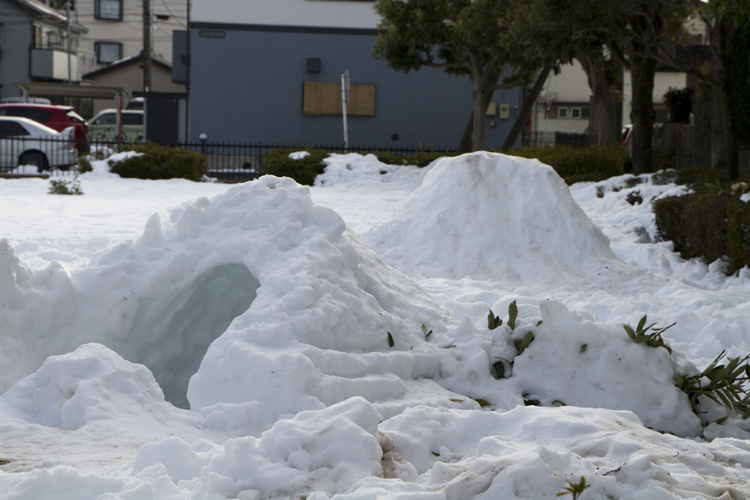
pixel 725 387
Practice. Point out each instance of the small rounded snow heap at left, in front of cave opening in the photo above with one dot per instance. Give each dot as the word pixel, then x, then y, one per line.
pixel 71 390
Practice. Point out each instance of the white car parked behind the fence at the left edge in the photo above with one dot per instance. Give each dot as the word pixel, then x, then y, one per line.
pixel 26 142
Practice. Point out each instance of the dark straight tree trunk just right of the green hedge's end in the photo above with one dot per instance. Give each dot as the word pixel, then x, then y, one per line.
pixel 642 71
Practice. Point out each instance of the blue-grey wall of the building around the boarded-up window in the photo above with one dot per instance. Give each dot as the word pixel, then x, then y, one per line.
pixel 248 87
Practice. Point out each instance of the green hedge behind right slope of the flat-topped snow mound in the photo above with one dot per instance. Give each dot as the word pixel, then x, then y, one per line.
pixel 594 163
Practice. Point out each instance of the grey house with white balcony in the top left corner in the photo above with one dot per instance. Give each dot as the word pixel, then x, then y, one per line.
pixel 34 45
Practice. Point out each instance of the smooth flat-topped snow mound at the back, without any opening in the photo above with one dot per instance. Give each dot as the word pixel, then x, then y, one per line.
pixel 491 216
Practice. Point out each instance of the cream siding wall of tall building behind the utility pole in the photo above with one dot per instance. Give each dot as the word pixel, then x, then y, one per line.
pixel 129 31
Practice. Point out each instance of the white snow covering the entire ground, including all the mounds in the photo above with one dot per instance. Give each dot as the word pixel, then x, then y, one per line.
pixel 179 340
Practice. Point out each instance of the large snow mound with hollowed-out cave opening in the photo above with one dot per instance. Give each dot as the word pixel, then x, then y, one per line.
pixel 290 301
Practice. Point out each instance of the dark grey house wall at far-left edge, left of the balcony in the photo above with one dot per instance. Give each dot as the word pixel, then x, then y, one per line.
pixel 17 37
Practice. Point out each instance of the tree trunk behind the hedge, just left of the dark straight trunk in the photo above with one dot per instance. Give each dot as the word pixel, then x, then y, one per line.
pixel 603 126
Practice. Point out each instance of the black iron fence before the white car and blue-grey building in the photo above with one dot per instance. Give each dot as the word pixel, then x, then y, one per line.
pixel 231 162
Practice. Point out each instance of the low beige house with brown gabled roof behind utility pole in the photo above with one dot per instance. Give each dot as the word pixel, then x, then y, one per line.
pixel 128 74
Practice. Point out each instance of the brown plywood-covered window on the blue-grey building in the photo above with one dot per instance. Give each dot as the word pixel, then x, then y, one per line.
pixel 324 99
